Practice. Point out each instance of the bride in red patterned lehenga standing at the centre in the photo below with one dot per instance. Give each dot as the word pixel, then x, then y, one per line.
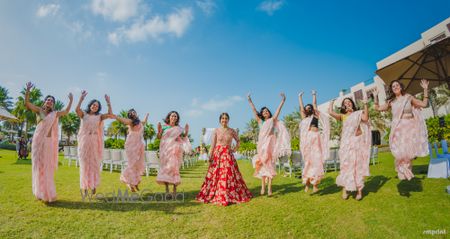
pixel 224 184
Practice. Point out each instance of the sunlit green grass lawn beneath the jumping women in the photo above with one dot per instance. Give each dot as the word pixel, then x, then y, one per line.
pixel 389 209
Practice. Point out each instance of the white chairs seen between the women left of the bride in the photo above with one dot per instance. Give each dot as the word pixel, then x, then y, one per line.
pixel 115 159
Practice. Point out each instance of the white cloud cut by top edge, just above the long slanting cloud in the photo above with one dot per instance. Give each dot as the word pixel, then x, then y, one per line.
pixel 116 10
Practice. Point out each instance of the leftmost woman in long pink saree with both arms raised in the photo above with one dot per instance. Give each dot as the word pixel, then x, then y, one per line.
pixel 44 150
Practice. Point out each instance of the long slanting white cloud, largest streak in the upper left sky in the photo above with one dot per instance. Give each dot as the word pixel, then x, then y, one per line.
pixel 155 28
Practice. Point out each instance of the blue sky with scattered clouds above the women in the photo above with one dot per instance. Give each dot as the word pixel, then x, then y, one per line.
pixel 201 57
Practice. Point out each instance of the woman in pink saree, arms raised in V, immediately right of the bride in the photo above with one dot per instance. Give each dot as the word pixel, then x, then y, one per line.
pixel 274 142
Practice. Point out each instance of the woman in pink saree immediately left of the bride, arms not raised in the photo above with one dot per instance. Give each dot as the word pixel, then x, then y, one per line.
pixel 174 142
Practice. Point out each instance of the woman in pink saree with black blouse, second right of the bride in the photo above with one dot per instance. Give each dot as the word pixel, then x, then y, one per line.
pixel 313 144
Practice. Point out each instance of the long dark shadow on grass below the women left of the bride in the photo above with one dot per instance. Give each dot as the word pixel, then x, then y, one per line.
pixel 112 204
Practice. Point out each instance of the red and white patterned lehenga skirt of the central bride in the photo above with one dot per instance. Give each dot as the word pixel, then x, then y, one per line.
pixel 224 184
